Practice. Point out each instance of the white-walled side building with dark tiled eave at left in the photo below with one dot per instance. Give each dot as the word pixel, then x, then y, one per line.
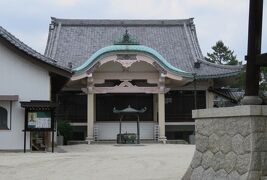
pixel 25 75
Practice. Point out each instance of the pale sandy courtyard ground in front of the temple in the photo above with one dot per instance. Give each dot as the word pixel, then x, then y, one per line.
pixel 99 162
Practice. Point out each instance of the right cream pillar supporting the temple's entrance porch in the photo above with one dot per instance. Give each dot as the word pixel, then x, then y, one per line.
pixel 161 117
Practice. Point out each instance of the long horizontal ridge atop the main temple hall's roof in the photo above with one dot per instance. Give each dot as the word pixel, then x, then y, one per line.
pixel 122 22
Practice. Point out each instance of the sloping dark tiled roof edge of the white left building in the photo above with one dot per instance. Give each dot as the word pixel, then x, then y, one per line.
pixel 29 51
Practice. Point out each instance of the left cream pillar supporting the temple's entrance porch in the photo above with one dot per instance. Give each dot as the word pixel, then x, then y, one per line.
pixel 90 117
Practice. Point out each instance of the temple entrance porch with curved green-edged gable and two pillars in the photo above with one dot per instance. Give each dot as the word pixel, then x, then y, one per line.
pixel 122 78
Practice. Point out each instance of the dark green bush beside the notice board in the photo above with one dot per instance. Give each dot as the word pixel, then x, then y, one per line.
pixel 64 129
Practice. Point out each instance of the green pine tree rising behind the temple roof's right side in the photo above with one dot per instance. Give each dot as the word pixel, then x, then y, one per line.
pixel 222 55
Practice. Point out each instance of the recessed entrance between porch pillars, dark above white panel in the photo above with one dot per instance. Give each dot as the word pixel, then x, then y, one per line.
pixel 107 123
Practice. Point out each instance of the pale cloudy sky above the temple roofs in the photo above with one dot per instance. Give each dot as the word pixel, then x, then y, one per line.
pixel 225 20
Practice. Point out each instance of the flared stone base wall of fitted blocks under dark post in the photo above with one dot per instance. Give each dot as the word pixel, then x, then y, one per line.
pixel 231 143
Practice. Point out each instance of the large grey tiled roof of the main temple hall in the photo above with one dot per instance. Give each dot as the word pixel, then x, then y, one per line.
pixel 74 41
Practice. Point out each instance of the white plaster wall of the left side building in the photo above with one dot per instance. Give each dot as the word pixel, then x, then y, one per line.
pixel 20 77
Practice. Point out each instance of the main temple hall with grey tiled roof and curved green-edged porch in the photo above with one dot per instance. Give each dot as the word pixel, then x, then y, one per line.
pixel 155 64
